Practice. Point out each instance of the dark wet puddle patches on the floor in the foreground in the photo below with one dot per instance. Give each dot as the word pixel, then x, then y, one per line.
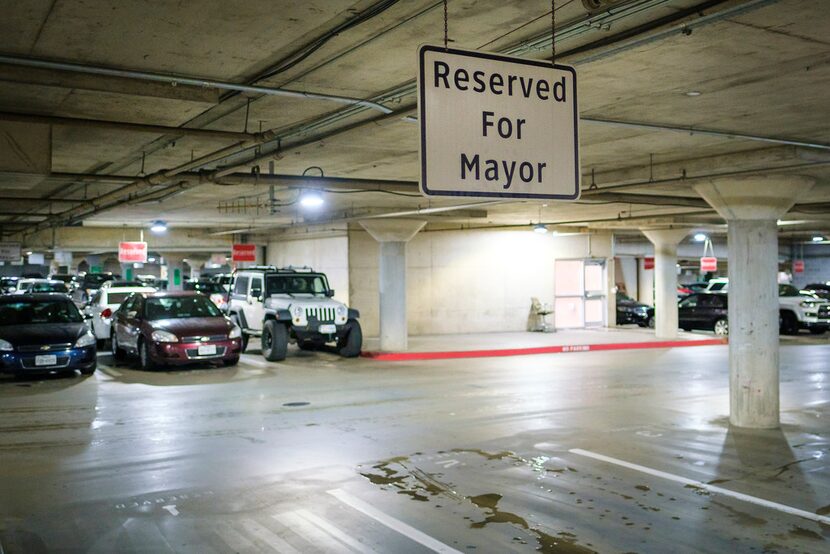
pixel 401 475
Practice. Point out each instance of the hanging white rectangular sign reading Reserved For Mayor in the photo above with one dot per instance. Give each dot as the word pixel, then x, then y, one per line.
pixel 496 126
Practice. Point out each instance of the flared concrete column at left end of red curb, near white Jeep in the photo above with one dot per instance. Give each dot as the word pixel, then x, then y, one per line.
pixel 392 236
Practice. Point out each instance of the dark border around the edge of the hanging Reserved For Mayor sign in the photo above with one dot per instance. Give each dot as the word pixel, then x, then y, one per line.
pixel 424 186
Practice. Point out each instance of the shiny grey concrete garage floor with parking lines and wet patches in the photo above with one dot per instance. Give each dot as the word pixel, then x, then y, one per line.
pixel 467 455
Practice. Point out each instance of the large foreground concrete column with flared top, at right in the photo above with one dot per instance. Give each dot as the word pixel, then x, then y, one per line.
pixel 751 207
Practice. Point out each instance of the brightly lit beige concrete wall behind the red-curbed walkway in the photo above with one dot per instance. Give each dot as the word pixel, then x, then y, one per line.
pixel 467 281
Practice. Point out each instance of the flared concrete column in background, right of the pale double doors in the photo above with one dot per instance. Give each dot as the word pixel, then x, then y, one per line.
pixel 665 243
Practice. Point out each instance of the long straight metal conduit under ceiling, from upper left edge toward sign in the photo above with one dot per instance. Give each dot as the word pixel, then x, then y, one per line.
pixel 174 80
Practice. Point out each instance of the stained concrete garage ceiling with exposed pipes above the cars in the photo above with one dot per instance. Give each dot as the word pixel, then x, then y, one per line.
pixel 760 66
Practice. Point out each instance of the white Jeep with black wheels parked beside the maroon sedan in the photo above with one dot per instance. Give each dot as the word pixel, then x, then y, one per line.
pixel 291 305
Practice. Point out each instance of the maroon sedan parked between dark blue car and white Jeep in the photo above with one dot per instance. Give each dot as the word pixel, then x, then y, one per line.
pixel 174 328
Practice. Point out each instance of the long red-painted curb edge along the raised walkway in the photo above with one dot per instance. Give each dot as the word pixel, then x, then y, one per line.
pixel 410 356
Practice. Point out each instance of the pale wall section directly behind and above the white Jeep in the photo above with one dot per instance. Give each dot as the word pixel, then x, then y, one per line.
pixel 329 255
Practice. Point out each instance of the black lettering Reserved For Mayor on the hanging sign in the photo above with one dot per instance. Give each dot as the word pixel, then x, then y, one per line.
pixel 496 126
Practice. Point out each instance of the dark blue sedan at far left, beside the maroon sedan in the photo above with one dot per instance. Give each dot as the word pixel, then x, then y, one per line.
pixel 44 333
